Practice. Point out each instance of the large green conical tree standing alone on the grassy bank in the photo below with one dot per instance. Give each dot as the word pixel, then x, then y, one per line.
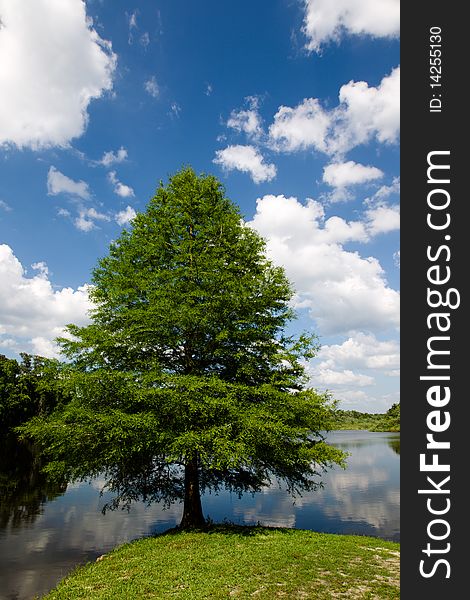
pixel 185 381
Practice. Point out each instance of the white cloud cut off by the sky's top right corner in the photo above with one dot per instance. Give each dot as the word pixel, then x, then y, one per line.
pixel 328 20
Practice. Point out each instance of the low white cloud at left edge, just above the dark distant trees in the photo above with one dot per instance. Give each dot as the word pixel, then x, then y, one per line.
pixel 33 311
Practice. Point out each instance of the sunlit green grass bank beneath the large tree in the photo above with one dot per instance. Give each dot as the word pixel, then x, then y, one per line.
pixel 240 562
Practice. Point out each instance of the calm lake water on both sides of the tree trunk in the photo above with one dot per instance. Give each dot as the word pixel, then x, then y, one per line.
pixel 45 530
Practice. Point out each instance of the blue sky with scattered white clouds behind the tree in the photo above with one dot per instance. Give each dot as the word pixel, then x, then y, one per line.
pixel 293 104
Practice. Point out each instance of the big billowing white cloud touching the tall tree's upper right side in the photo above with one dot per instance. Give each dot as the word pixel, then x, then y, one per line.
pixel 344 291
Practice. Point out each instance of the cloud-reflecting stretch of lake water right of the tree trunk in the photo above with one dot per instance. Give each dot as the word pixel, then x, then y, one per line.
pixel 362 499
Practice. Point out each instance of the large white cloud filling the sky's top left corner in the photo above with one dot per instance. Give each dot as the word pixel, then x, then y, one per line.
pixel 44 101
